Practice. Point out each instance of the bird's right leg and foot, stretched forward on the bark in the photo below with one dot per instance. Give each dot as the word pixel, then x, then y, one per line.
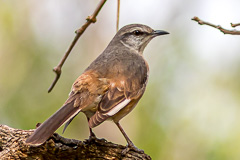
pixel 130 145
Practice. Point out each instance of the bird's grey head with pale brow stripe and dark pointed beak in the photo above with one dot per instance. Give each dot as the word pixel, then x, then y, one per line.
pixel 136 36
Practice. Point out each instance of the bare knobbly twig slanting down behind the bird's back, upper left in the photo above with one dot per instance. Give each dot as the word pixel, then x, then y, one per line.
pixel 79 32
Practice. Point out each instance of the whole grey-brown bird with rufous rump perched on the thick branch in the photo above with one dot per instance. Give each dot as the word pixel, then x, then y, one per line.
pixel 109 88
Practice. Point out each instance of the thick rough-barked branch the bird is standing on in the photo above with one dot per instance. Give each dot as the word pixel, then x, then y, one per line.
pixel 12 146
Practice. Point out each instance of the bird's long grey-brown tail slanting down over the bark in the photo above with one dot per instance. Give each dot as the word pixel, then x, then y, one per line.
pixel 45 130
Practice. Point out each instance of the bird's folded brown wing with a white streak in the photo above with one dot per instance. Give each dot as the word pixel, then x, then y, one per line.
pixel 120 94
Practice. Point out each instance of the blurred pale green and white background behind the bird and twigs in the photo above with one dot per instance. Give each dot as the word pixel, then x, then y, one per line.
pixel 191 108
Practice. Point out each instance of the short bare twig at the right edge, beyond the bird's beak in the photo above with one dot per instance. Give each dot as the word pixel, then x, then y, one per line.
pixel 223 30
